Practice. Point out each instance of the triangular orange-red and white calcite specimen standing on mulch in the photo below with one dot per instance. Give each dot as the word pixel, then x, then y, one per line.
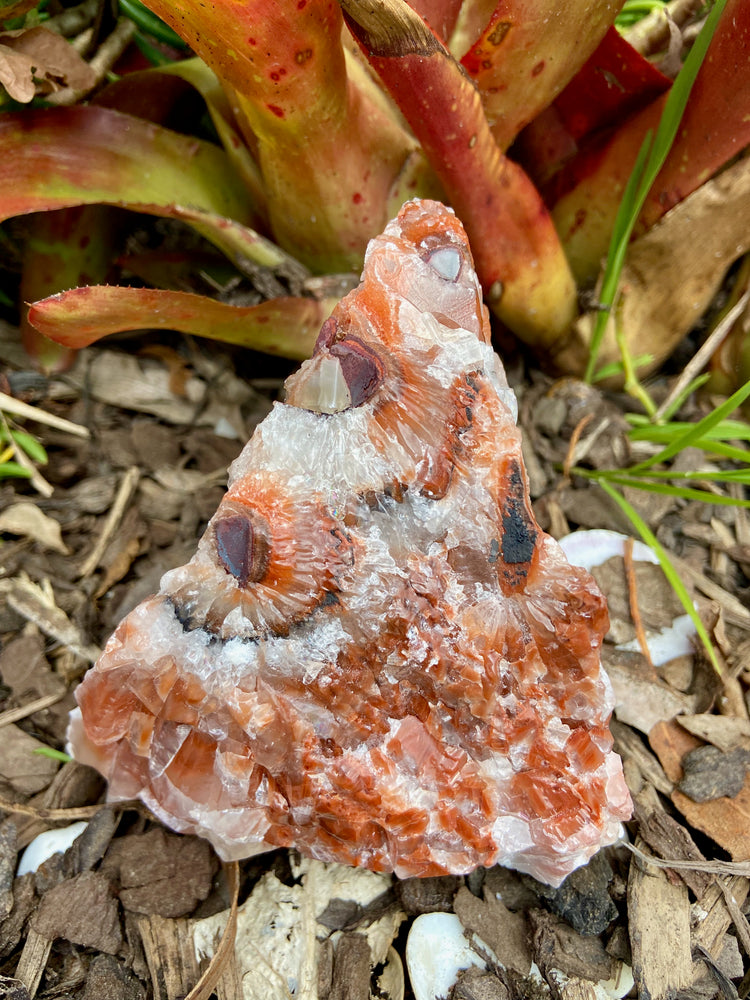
pixel 375 656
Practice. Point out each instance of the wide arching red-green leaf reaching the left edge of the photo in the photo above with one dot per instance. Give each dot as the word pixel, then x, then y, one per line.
pixel 63 157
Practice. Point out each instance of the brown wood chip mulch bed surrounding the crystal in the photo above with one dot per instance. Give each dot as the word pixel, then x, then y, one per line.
pixel 116 916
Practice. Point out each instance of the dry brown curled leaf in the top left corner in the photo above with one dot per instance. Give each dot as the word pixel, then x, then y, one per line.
pixel 38 61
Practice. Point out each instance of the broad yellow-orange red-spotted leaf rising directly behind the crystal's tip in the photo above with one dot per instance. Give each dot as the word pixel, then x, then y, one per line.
pixel 329 150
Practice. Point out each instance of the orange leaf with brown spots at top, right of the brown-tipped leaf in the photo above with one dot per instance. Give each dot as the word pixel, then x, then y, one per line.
pixel 528 52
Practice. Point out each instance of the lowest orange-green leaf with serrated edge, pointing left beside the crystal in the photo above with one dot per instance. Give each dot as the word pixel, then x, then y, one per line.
pixel 77 318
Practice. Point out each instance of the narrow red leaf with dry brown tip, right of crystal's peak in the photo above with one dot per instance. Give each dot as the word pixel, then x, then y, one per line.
pixel 517 253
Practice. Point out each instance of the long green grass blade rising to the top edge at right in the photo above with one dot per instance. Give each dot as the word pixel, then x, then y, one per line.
pixel 649 162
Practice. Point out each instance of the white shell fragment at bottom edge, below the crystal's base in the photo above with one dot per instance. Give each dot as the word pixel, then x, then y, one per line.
pixel 436 951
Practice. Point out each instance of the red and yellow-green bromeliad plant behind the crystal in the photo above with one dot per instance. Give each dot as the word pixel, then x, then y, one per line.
pixel 527 117
